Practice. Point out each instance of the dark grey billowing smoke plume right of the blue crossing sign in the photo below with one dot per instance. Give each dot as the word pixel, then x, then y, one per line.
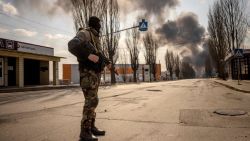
pixel 187 34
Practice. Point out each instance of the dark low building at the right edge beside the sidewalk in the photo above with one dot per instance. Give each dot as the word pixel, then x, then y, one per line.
pixel 244 63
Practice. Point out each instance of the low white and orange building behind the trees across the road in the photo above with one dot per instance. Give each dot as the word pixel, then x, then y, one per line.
pixel 71 73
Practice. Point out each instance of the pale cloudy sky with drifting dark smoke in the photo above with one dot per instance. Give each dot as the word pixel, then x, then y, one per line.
pixel 50 23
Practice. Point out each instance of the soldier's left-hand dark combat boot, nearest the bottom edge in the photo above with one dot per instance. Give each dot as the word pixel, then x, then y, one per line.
pixel 86 134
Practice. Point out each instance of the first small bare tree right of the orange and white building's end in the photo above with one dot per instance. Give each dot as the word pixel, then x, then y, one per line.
pixel 170 62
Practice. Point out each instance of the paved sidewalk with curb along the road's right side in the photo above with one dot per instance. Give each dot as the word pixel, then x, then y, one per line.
pixel 233 84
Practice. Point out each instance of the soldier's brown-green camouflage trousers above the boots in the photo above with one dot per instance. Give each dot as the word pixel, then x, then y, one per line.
pixel 89 81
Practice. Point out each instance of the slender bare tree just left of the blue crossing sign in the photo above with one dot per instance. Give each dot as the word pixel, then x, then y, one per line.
pixel 132 42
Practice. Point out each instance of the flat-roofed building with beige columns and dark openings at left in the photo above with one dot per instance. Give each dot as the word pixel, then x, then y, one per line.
pixel 23 64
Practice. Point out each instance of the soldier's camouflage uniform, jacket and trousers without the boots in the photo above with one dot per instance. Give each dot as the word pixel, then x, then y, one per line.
pixel 89 81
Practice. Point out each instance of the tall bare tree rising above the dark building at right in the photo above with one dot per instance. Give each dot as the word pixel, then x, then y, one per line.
pixel 235 22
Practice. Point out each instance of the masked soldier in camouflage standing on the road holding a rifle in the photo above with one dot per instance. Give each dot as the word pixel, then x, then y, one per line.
pixel 90 80
